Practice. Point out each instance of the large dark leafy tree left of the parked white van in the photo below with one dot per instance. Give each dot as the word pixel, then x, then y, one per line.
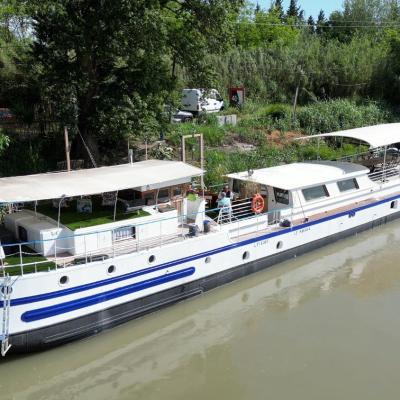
pixel 106 70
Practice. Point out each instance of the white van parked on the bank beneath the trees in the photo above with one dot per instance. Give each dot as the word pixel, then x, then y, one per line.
pixel 201 100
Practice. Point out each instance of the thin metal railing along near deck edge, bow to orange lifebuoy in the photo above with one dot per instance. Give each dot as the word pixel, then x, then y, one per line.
pixel 23 255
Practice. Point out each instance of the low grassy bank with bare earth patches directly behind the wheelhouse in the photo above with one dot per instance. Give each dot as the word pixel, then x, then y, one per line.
pixel 266 134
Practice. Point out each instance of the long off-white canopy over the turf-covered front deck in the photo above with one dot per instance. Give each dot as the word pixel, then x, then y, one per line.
pixel 144 175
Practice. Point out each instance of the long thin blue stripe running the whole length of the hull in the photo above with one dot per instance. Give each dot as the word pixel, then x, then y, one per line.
pixel 81 288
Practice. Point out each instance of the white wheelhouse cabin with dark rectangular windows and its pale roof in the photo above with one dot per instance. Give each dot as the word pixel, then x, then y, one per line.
pixel 304 186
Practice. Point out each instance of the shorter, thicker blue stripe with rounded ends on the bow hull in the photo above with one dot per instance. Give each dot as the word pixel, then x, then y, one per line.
pixel 51 311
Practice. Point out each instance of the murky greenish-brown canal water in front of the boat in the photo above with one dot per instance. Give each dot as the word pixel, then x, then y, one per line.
pixel 323 326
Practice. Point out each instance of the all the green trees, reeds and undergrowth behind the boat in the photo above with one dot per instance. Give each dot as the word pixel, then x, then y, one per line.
pixel 109 70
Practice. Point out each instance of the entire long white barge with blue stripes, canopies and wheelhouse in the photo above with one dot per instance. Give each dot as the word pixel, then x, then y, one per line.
pixel 86 250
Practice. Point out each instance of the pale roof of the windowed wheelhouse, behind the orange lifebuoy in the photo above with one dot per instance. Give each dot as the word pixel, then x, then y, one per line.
pixel 302 175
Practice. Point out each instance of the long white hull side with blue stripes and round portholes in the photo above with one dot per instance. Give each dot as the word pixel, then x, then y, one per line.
pixel 39 302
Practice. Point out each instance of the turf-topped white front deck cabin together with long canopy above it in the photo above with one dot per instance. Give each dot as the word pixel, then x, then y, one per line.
pixel 83 211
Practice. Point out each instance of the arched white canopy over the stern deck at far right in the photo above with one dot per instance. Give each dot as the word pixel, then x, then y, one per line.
pixel 375 136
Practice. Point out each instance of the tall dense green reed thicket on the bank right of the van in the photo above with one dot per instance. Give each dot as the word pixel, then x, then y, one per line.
pixel 322 69
